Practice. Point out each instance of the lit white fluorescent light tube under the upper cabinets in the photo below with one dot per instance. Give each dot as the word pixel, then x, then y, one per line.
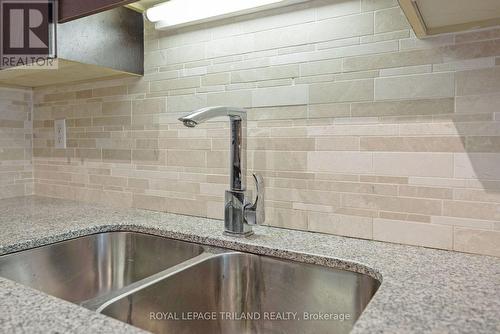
pixel 179 13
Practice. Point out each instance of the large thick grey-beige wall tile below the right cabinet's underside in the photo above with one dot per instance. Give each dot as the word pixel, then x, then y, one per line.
pixel 415 86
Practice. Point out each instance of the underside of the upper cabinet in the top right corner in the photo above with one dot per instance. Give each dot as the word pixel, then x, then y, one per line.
pixel 432 17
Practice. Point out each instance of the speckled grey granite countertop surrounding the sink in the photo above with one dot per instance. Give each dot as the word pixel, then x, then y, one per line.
pixel 422 291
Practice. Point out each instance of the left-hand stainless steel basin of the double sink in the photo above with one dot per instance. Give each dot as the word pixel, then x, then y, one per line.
pixel 84 268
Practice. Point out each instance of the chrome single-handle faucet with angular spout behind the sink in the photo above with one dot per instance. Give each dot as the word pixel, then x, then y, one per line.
pixel 239 213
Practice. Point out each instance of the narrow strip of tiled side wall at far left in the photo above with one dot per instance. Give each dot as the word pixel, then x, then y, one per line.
pixel 16 169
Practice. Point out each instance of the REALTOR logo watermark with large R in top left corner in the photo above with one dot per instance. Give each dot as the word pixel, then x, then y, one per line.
pixel 28 33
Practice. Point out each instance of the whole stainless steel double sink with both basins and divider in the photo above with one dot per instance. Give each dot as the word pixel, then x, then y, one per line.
pixel 169 286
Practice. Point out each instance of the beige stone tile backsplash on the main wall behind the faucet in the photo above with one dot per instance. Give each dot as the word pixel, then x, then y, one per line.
pixel 359 128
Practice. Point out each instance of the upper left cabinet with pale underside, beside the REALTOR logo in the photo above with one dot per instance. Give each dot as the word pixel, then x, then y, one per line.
pixel 90 44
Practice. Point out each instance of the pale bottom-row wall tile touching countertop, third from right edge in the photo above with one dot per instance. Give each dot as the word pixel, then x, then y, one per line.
pixel 350 226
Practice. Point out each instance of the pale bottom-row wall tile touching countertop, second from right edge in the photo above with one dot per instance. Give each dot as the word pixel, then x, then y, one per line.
pixel 418 234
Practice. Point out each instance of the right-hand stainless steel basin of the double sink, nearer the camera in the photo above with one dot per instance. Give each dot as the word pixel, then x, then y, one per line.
pixel 227 288
